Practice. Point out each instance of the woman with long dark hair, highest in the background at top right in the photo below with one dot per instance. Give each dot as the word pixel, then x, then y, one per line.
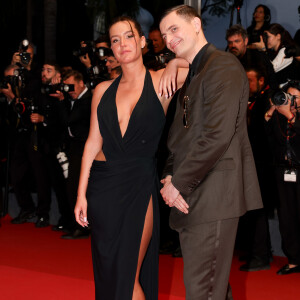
pixel 260 22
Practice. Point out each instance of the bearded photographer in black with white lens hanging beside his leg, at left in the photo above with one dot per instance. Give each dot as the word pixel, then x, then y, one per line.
pixel 54 141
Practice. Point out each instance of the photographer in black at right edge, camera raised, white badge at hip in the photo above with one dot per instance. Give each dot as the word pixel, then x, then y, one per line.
pixel 282 122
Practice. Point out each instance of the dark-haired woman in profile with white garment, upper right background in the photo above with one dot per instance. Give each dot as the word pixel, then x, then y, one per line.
pixel 279 45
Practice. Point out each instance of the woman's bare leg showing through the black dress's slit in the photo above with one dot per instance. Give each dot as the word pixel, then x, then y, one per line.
pixel 138 293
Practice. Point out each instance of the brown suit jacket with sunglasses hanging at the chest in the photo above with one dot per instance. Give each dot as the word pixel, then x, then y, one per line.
pixel 211 161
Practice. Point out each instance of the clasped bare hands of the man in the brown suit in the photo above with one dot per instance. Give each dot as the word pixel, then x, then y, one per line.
pixel 172 196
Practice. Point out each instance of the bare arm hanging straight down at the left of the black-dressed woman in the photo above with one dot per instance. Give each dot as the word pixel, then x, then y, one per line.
pixel 92 147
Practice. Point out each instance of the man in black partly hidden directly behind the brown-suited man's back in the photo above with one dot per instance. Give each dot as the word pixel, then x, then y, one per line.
pixel 254 227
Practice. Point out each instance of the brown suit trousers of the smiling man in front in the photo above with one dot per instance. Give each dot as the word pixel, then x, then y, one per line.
pixel 207 251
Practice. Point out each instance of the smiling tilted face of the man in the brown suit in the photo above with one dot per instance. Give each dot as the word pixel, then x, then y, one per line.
pixel 179 34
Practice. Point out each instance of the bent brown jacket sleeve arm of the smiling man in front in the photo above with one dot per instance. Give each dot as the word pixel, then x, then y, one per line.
pixel 225 84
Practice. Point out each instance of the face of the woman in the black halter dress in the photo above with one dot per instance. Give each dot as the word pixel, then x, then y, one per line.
pixel 126 43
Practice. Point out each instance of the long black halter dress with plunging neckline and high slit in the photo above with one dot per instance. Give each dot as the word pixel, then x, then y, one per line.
pixel 119 191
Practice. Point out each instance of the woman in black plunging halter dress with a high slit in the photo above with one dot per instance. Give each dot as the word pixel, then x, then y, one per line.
pixel 118 174
